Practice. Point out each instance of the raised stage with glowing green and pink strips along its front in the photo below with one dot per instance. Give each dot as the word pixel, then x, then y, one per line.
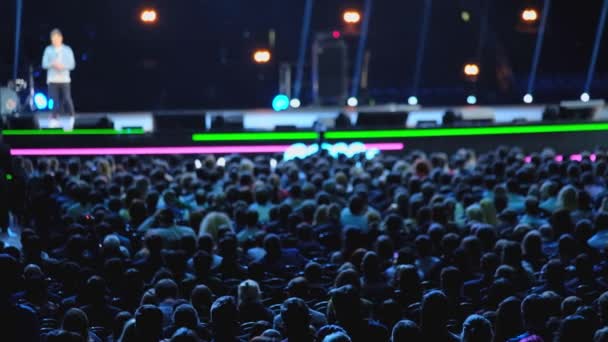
pixel 266 131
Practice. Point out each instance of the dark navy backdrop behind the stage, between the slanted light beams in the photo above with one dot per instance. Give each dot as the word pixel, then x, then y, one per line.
pixel 199 53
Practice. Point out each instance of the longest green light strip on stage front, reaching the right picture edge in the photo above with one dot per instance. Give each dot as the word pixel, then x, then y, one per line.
pixel 465 131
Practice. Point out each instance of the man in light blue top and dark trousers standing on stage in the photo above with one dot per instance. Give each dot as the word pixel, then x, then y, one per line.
pixel 59 60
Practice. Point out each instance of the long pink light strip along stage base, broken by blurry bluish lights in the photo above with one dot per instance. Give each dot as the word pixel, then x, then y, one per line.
pixel 103 151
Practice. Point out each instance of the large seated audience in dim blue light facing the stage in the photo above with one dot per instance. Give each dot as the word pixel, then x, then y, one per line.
pixel 494 247
